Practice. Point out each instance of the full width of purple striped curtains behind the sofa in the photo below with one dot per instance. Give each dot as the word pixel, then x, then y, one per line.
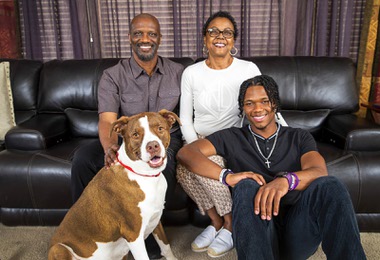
pixel 99 28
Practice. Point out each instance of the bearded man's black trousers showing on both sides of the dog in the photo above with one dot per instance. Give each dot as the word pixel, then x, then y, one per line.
pixel 89 159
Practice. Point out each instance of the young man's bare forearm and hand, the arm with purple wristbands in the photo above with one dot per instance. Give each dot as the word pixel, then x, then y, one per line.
pixel 269 196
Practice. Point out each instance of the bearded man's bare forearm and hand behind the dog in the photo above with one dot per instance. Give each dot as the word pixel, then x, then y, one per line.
pixel 109 143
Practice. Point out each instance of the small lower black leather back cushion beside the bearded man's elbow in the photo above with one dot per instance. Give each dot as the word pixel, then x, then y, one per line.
pixel 83 123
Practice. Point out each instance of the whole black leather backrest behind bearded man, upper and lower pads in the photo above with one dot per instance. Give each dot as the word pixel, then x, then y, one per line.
pixel 70 87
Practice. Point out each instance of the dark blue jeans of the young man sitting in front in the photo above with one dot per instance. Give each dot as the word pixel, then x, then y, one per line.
pixel 324 213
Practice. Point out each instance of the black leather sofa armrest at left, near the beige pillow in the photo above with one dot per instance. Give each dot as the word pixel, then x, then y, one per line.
pixel 38 133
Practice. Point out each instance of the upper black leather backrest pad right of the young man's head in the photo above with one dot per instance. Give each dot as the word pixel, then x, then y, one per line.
pixel 311 83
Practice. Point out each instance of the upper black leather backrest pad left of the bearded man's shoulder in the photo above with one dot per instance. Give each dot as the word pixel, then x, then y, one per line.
pixel 70 84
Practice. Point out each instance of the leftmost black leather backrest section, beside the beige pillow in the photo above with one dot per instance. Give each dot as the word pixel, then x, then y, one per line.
pixel 24 78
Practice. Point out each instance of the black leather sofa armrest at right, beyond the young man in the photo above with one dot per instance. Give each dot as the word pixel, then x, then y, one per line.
pixel 352 133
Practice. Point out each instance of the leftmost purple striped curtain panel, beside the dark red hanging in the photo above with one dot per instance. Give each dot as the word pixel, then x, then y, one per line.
pixel 50 29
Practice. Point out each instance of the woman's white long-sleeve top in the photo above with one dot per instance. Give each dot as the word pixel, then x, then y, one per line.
pixel 209 97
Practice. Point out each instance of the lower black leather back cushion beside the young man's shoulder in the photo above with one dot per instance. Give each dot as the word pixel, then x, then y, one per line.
pixel 309 120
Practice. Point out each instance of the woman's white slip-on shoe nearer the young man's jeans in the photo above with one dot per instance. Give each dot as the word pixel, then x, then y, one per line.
pixel 221 245
